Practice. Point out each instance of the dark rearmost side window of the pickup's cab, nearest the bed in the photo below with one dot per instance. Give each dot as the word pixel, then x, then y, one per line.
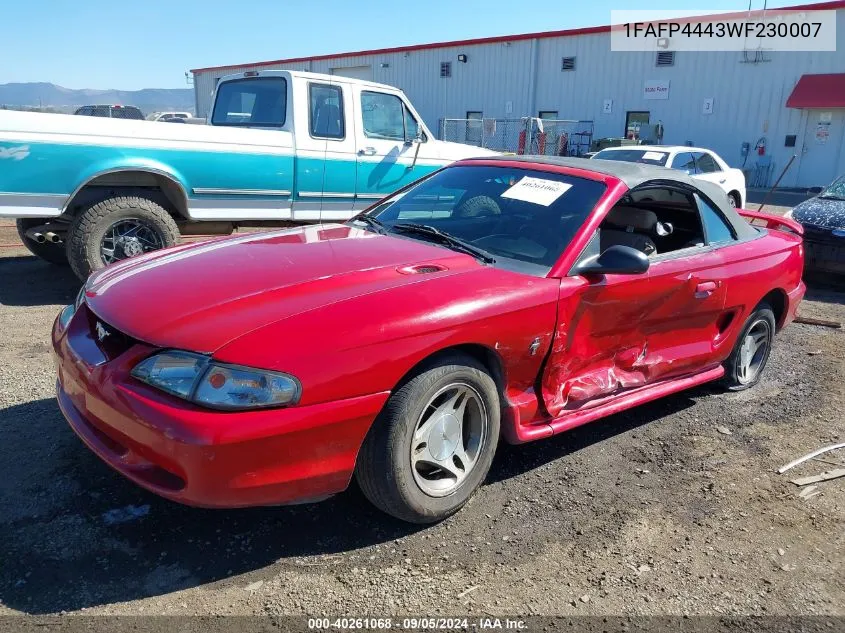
pixel 253 102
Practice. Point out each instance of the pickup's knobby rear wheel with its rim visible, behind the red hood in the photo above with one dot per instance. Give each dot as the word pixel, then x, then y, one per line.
pixel 115 229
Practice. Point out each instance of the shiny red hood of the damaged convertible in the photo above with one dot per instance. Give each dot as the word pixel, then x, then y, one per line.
pixel 202 296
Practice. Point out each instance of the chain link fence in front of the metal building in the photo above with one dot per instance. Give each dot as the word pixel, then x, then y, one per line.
pixel 547 137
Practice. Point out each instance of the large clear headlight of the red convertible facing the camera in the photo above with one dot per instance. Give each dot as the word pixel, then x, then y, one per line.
pixel 199 379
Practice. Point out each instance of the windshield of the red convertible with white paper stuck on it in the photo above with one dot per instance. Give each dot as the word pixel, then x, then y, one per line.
pixel 522 217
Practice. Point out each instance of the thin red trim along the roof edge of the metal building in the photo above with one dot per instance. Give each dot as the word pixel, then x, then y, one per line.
pixel 819 6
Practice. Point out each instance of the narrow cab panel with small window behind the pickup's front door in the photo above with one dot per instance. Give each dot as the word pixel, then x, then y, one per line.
pixel 326 164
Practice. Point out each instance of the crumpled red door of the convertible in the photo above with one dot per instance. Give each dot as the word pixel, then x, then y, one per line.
pixel 627 331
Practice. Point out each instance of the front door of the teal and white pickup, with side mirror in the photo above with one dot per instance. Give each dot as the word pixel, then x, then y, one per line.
pixel 387 130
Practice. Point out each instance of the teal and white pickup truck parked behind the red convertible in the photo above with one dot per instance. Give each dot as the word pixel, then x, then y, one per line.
pixel 280 146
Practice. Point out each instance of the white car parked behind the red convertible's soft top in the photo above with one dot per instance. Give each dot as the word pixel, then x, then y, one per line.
pixel 695 161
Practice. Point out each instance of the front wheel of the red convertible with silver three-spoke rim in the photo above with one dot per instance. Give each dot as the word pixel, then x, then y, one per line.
pixel 432 445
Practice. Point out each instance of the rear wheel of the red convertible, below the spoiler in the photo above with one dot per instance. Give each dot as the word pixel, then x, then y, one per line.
pixel 750 354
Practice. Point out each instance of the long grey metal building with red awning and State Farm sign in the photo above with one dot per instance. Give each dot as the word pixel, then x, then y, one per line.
pixel 787 103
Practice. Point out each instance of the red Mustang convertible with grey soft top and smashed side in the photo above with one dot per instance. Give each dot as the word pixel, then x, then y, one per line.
pixel 503 297
